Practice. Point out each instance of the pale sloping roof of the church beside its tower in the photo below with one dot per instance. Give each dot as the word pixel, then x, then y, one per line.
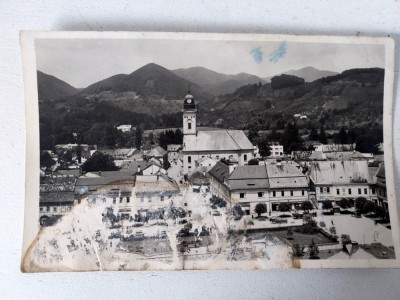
pixel 218 140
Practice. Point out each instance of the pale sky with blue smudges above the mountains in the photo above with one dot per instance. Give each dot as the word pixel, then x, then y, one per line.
pixel 81 62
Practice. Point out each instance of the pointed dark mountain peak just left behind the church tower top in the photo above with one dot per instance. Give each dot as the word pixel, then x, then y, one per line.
pixel 150 80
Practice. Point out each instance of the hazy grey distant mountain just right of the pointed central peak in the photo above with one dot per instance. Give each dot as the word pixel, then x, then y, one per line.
pixel 214 82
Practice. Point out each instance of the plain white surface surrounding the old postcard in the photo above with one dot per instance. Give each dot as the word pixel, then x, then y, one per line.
pixel 283 16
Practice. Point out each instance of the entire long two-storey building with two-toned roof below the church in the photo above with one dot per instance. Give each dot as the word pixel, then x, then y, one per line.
pixel 249 185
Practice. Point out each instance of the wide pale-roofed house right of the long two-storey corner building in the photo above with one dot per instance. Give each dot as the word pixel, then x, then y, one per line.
pixel 334 180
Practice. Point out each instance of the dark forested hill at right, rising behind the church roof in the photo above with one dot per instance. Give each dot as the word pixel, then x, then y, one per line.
pixel 354 96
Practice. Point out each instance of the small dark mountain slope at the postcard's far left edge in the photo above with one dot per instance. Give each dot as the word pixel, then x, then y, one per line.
pixel 50 87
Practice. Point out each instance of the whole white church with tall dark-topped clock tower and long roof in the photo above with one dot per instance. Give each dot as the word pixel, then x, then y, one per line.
pixel 217 144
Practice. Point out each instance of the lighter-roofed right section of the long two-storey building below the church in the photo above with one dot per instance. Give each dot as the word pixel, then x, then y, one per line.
pixel 287 184
